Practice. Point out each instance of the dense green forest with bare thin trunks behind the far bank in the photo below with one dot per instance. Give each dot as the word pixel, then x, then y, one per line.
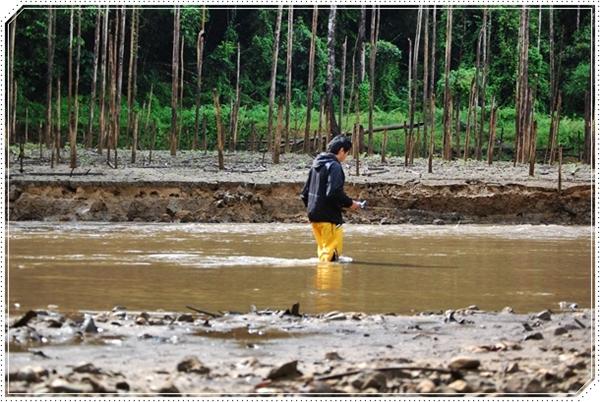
pixel 182 78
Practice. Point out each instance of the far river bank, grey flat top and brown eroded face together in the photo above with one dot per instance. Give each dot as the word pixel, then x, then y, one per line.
pixel 190 188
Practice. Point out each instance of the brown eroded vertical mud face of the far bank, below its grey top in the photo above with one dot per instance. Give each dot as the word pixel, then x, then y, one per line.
pixel 411 202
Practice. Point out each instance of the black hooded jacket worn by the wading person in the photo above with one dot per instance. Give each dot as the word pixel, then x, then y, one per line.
pixel 323 194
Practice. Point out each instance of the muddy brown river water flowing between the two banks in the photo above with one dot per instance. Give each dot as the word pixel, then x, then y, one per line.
pixel 396 268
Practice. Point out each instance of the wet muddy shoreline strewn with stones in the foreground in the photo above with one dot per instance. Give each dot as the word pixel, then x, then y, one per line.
pixel 465 351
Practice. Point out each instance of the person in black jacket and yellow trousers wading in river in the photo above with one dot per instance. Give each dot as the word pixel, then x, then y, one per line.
pixel 324 197
